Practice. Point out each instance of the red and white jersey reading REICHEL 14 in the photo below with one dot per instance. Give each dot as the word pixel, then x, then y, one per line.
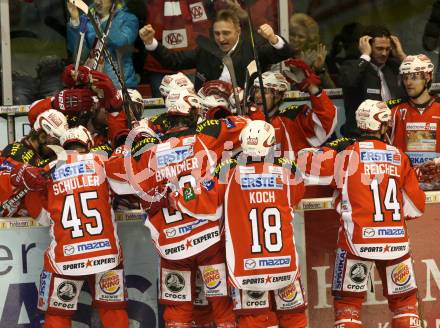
pixel 376 190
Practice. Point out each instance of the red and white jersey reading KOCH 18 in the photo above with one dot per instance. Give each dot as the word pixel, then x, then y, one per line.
pixel 259 199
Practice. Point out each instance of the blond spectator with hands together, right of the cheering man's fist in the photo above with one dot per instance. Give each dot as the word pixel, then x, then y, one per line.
pixel 304 40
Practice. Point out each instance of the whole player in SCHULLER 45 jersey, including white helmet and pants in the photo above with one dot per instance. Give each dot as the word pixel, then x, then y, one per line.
pixel 84 243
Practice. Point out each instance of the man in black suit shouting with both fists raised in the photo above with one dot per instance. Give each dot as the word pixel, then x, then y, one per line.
pixel 228 39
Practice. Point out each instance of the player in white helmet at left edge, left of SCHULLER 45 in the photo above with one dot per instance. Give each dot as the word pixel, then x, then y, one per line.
pixel 19 166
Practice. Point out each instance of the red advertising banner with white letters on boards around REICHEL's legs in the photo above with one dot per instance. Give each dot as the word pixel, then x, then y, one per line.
pixel 321 233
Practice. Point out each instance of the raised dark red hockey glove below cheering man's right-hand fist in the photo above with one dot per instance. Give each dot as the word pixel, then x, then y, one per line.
pixel 301 75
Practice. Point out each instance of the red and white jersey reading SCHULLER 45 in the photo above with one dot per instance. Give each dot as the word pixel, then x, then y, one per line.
pixel 82 224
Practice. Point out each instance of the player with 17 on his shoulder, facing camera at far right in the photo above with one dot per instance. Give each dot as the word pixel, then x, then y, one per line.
pixel 415 129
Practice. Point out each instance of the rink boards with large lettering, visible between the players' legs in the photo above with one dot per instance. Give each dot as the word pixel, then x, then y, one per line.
pixel 22 245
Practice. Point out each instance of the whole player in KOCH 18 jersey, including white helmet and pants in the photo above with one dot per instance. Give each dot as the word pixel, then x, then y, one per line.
pixel 258 193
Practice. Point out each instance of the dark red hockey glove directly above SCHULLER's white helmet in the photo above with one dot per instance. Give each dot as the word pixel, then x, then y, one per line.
pixel 74 100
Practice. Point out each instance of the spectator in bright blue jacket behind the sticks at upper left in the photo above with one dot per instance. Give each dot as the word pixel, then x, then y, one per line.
pixel 122 35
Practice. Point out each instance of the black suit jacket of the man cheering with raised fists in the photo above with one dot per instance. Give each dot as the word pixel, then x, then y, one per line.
pixel 208 67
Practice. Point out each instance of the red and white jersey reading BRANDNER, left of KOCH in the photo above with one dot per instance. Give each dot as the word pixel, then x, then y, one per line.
pixel 182 158
